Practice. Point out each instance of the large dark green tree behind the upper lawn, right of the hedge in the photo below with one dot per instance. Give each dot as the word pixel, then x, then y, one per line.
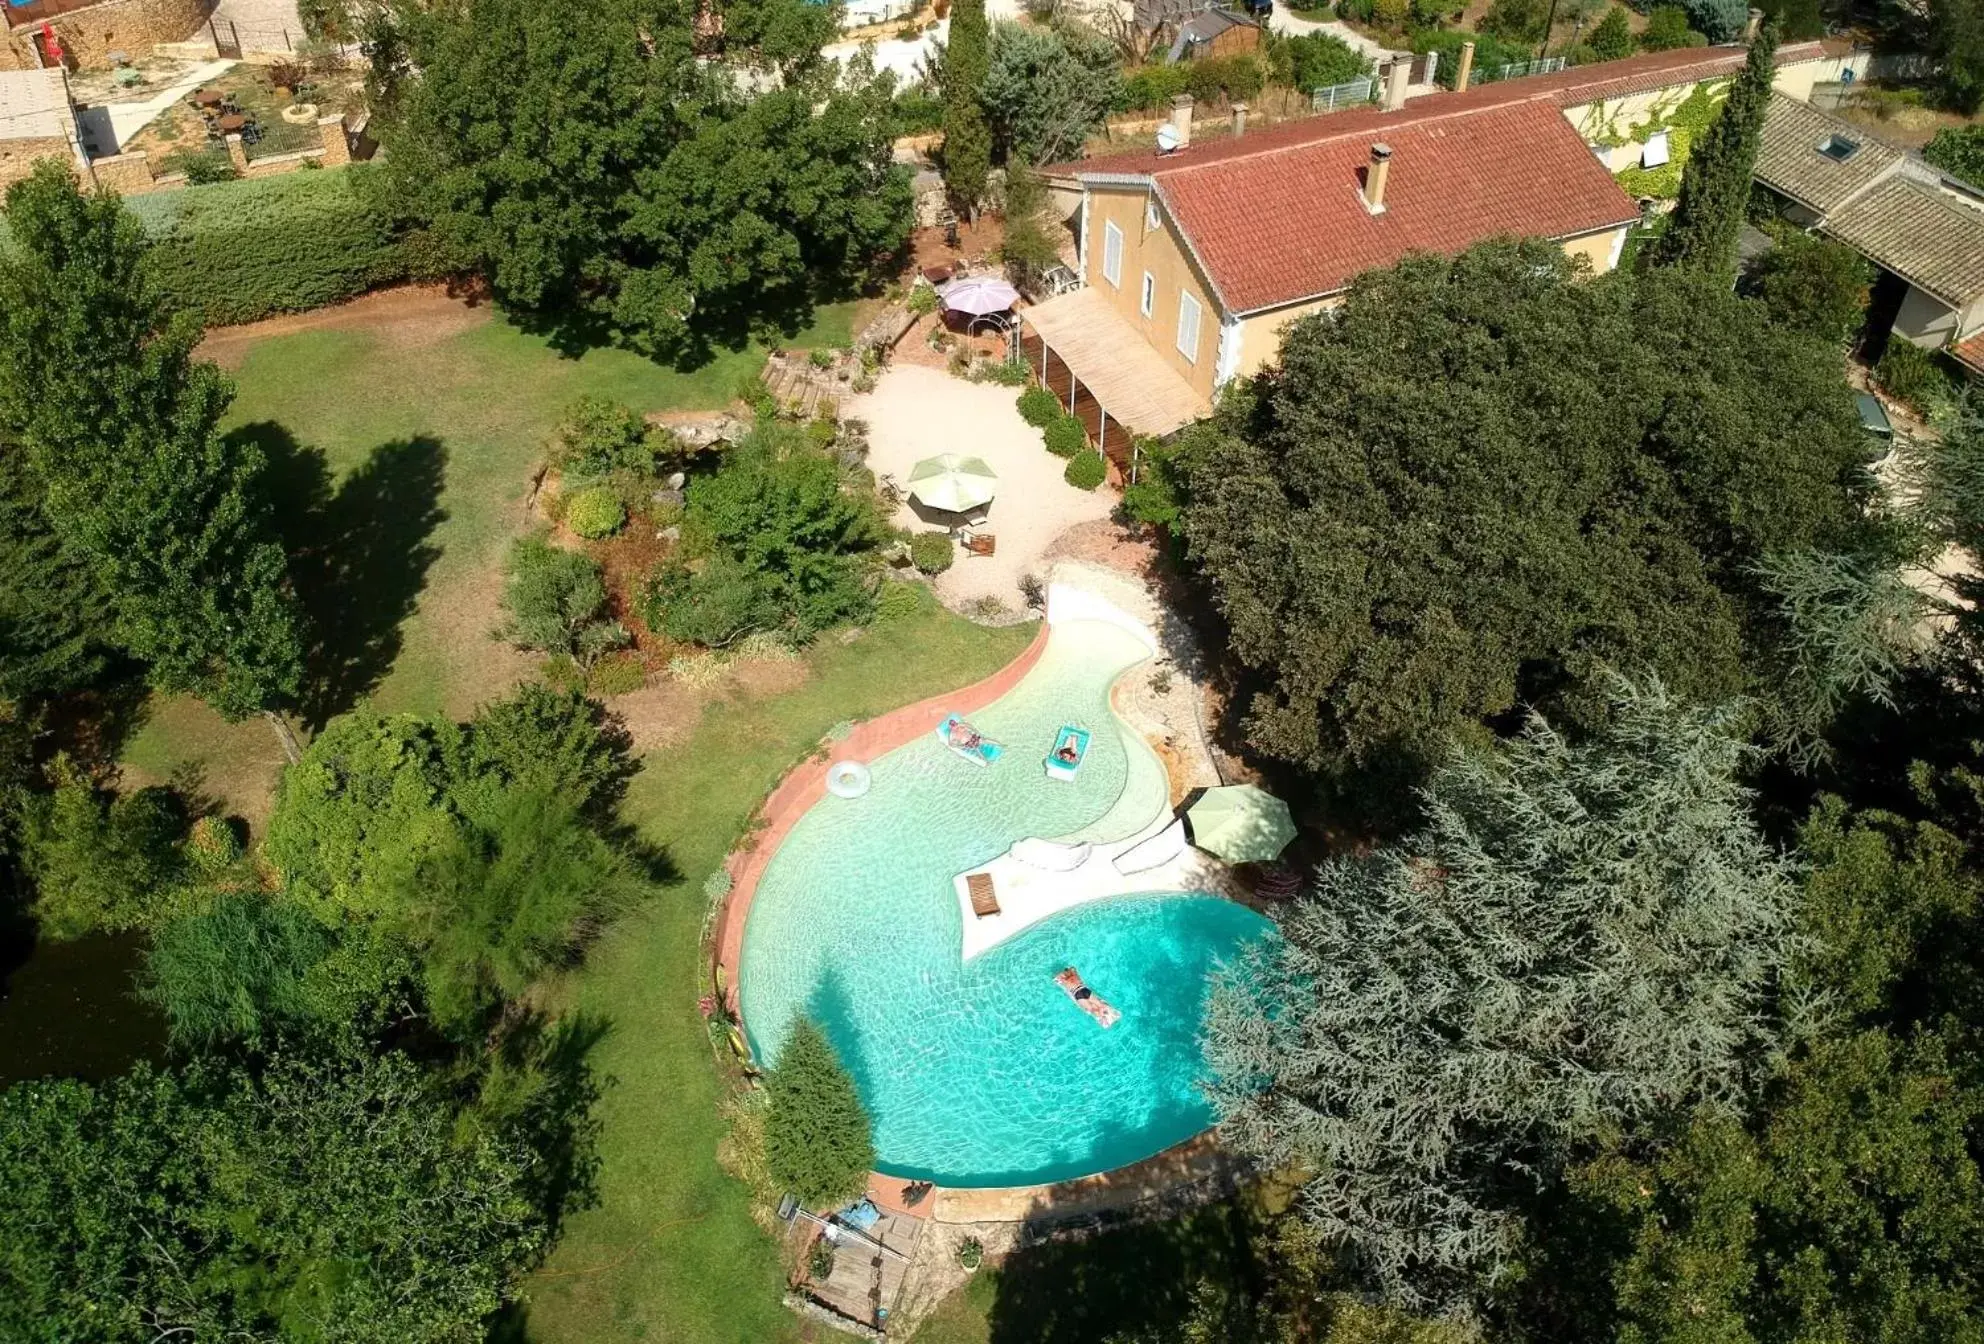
pixel 596 168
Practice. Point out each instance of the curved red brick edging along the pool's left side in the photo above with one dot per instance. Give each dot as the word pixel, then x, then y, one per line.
pixel 806 785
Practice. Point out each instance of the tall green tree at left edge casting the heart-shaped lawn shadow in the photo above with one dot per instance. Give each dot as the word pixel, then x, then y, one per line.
pixel 120 426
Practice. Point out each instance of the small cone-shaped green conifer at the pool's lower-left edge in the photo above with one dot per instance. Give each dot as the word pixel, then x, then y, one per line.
pixel 816 1137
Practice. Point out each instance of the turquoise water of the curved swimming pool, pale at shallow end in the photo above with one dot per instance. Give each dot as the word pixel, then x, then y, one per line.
pixel 985 1073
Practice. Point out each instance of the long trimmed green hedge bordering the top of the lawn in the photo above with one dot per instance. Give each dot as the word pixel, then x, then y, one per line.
pixel 243 251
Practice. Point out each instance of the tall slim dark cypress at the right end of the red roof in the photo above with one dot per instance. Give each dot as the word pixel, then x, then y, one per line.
pixel 1715 186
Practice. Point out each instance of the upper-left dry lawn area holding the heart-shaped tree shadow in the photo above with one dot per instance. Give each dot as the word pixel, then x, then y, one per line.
pixel 412 446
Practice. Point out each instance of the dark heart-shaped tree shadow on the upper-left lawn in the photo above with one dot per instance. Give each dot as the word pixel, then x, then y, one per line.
pixel 358 555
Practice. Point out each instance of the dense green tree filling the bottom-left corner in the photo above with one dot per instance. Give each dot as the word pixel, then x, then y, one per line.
pixel 322 1200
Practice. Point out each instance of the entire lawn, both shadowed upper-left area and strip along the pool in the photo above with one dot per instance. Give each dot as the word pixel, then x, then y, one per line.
pixel 406 456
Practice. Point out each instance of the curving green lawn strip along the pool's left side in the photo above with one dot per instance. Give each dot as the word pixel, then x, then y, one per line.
pixel 672 1252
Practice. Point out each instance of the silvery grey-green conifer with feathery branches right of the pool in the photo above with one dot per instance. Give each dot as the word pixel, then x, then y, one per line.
pixel 1580 942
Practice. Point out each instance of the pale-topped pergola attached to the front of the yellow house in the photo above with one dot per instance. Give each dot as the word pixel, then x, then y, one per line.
pixel 1106 372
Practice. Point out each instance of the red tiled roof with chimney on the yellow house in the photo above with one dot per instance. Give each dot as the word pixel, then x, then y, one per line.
pixel 1275 219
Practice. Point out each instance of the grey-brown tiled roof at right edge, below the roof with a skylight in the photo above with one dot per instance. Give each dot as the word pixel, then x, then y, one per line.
pixel 1920 233
